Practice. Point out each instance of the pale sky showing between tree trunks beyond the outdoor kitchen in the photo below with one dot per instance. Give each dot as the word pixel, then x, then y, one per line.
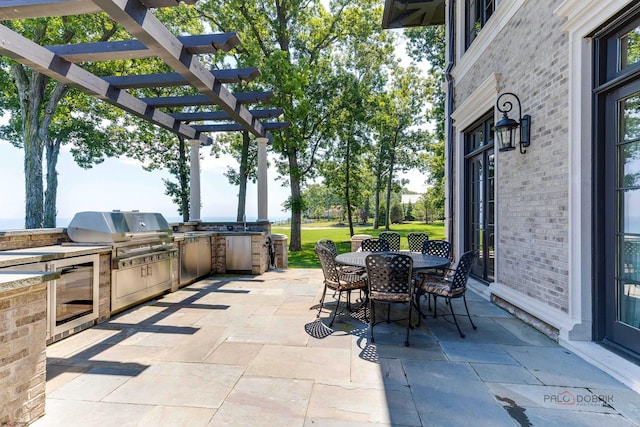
pixel 123 184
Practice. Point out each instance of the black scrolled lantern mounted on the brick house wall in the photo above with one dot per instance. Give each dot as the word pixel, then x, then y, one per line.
pixel 507 128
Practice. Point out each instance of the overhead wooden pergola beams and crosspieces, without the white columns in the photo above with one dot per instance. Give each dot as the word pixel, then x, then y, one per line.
pixel 150 38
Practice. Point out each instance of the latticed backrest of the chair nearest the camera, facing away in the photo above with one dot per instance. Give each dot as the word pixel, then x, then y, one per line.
pixel 390 273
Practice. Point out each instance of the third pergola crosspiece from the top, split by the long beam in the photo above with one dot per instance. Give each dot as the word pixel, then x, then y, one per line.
pixel 175 79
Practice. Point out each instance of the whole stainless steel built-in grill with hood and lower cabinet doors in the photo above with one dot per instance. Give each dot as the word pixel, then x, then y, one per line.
pixel 142 249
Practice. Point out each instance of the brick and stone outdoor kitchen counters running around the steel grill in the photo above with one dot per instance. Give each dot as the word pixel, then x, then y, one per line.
pixel 34 263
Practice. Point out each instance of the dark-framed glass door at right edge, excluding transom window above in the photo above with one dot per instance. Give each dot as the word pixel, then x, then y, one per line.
pixel 622 156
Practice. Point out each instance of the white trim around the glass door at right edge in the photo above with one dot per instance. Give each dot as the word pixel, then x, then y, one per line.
pixel 583 18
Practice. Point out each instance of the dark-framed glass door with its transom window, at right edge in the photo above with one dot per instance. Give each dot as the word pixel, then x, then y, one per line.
pixel 617 187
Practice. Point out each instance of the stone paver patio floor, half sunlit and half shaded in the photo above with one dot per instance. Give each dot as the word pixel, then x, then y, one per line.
pixel 248 350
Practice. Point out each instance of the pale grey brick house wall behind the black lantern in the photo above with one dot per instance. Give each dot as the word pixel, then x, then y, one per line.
pixel 531 53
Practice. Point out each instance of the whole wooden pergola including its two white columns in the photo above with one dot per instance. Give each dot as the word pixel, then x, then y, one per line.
pixel 151 39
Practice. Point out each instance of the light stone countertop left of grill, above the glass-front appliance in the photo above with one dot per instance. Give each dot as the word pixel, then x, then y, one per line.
pixel 13 257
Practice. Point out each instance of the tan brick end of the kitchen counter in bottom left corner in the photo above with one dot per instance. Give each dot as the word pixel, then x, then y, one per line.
pixel 22 354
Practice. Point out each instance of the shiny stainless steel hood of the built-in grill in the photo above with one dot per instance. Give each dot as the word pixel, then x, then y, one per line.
pixel 116 226
